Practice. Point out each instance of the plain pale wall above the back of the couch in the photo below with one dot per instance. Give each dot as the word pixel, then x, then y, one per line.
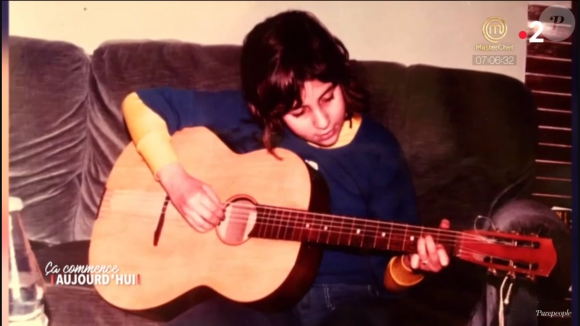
pixel 434 33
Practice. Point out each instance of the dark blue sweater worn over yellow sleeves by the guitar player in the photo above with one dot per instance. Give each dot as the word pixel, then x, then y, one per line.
pixel 367 178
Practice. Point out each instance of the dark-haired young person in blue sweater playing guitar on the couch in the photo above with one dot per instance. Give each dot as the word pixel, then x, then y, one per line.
pixel 297 94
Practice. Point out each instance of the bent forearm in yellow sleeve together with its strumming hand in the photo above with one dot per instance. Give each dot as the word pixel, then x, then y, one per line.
pixel 194 200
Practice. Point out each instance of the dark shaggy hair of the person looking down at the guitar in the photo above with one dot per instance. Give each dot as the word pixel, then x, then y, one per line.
pixel 283 52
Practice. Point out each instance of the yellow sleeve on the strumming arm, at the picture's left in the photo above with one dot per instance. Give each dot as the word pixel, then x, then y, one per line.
pixel 149 133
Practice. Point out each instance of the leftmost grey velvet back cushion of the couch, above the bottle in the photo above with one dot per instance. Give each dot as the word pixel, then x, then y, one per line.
pixel 49 97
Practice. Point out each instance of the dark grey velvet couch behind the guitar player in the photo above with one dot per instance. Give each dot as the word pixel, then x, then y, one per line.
pixel 469 138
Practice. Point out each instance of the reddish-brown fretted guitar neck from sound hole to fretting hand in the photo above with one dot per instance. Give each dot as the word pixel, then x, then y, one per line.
pixel 293 225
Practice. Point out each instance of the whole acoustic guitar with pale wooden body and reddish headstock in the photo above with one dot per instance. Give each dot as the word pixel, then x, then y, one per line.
pixel 267 249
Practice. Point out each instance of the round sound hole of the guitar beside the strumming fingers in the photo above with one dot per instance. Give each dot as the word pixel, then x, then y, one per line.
pixel 240 219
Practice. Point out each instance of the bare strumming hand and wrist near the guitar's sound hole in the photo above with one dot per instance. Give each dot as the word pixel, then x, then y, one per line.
pixel 195 200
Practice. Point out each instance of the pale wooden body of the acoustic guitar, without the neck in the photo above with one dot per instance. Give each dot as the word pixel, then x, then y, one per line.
pixel 185 266
